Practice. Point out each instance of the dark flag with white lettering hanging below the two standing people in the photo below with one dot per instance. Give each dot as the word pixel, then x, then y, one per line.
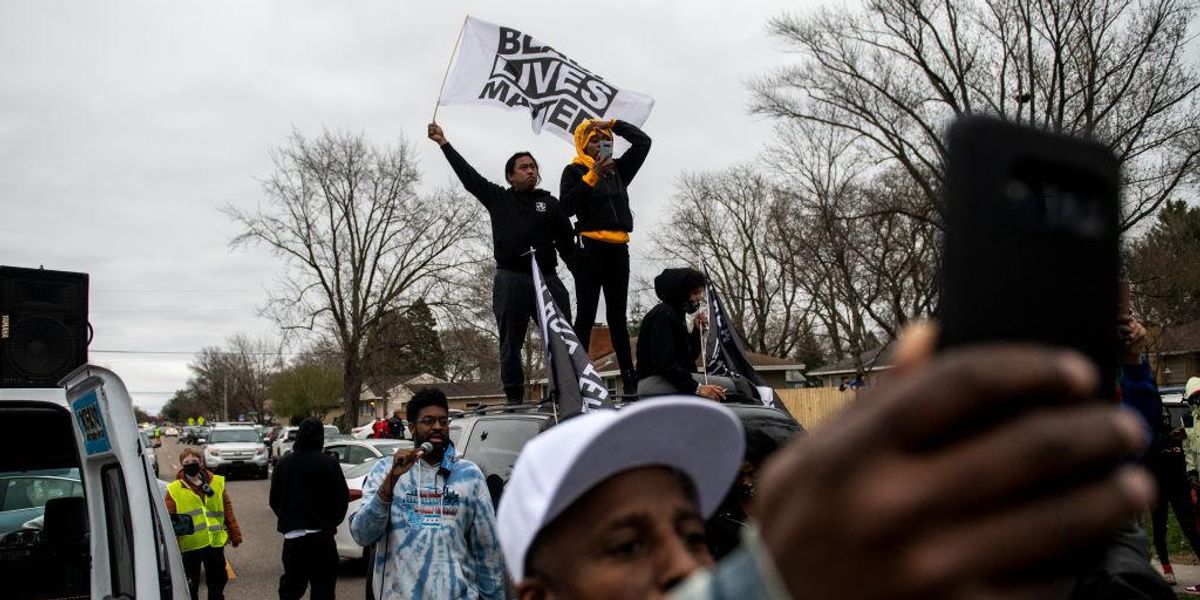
pixel 572 380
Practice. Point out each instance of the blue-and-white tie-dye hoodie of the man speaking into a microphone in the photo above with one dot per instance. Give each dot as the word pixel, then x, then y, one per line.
pixel 441 543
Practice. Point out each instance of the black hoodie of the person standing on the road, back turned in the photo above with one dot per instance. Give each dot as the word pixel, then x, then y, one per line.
pixel 308 489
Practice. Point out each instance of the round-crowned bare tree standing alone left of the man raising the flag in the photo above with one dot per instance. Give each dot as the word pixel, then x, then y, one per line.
pixel 358 241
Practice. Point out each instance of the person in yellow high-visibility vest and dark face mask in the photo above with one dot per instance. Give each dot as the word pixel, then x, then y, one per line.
pixel 201 495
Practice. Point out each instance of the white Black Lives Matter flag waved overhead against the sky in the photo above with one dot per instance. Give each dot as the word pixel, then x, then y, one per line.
pixel 505 68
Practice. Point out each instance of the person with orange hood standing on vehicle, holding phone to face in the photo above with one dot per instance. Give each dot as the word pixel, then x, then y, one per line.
pixel 596 190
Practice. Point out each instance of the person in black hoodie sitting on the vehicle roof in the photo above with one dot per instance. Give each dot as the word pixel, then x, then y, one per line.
pixel 667 352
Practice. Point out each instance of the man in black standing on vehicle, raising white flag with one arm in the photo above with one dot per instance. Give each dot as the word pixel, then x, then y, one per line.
pixel 524 218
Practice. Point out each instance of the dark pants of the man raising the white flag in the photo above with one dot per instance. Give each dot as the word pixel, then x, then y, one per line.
pixel 515 303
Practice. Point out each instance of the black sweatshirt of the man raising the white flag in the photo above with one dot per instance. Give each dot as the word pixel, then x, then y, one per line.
pixel 520 220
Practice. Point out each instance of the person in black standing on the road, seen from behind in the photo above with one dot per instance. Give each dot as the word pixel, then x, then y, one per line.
pixel 310 499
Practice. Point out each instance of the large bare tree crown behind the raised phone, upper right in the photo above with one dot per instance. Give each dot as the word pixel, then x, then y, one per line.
pixel 895 74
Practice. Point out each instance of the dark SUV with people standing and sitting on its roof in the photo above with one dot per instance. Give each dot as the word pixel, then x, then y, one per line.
pixel 493 437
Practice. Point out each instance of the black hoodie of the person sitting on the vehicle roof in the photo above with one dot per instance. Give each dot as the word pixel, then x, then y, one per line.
pixel 664 346
